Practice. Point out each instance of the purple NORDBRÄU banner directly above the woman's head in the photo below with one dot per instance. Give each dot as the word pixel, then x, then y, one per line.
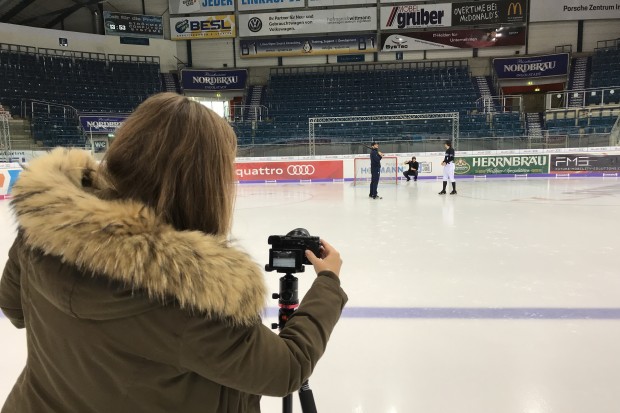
pixel 214 79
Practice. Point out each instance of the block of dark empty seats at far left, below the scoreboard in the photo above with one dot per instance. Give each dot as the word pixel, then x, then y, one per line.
pixel 86 85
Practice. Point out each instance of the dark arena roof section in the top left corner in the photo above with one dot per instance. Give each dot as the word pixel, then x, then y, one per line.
pixel 49 13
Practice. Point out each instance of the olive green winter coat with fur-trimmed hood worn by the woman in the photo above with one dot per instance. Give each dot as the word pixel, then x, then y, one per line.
pixel 123 313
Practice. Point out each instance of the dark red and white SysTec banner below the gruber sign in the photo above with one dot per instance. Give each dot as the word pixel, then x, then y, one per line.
pixel 453 39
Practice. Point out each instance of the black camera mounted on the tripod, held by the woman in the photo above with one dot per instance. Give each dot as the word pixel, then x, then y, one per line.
pixel 288 252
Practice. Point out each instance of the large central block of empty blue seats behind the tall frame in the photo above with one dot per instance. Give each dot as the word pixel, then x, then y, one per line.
pixel 294 97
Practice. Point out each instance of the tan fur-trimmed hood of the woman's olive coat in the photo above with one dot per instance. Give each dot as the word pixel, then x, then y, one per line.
pixel 59 213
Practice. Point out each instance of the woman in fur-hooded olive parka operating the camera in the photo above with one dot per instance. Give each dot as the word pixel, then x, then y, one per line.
pixel 132 297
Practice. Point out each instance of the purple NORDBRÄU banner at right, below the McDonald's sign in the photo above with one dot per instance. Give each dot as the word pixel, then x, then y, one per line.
pixel 529 67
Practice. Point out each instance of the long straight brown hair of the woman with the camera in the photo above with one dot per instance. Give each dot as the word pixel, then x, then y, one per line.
pixel 177 156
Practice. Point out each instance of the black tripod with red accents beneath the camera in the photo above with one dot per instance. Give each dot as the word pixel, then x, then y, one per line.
pixel 288 302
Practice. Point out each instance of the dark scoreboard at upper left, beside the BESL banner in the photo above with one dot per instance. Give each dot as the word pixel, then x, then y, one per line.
pixel 133 25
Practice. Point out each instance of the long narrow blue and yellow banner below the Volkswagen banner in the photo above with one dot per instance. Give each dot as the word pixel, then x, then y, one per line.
pixel 308 46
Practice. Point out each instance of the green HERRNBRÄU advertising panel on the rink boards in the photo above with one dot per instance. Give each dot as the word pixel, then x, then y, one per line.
pixel 497 165
